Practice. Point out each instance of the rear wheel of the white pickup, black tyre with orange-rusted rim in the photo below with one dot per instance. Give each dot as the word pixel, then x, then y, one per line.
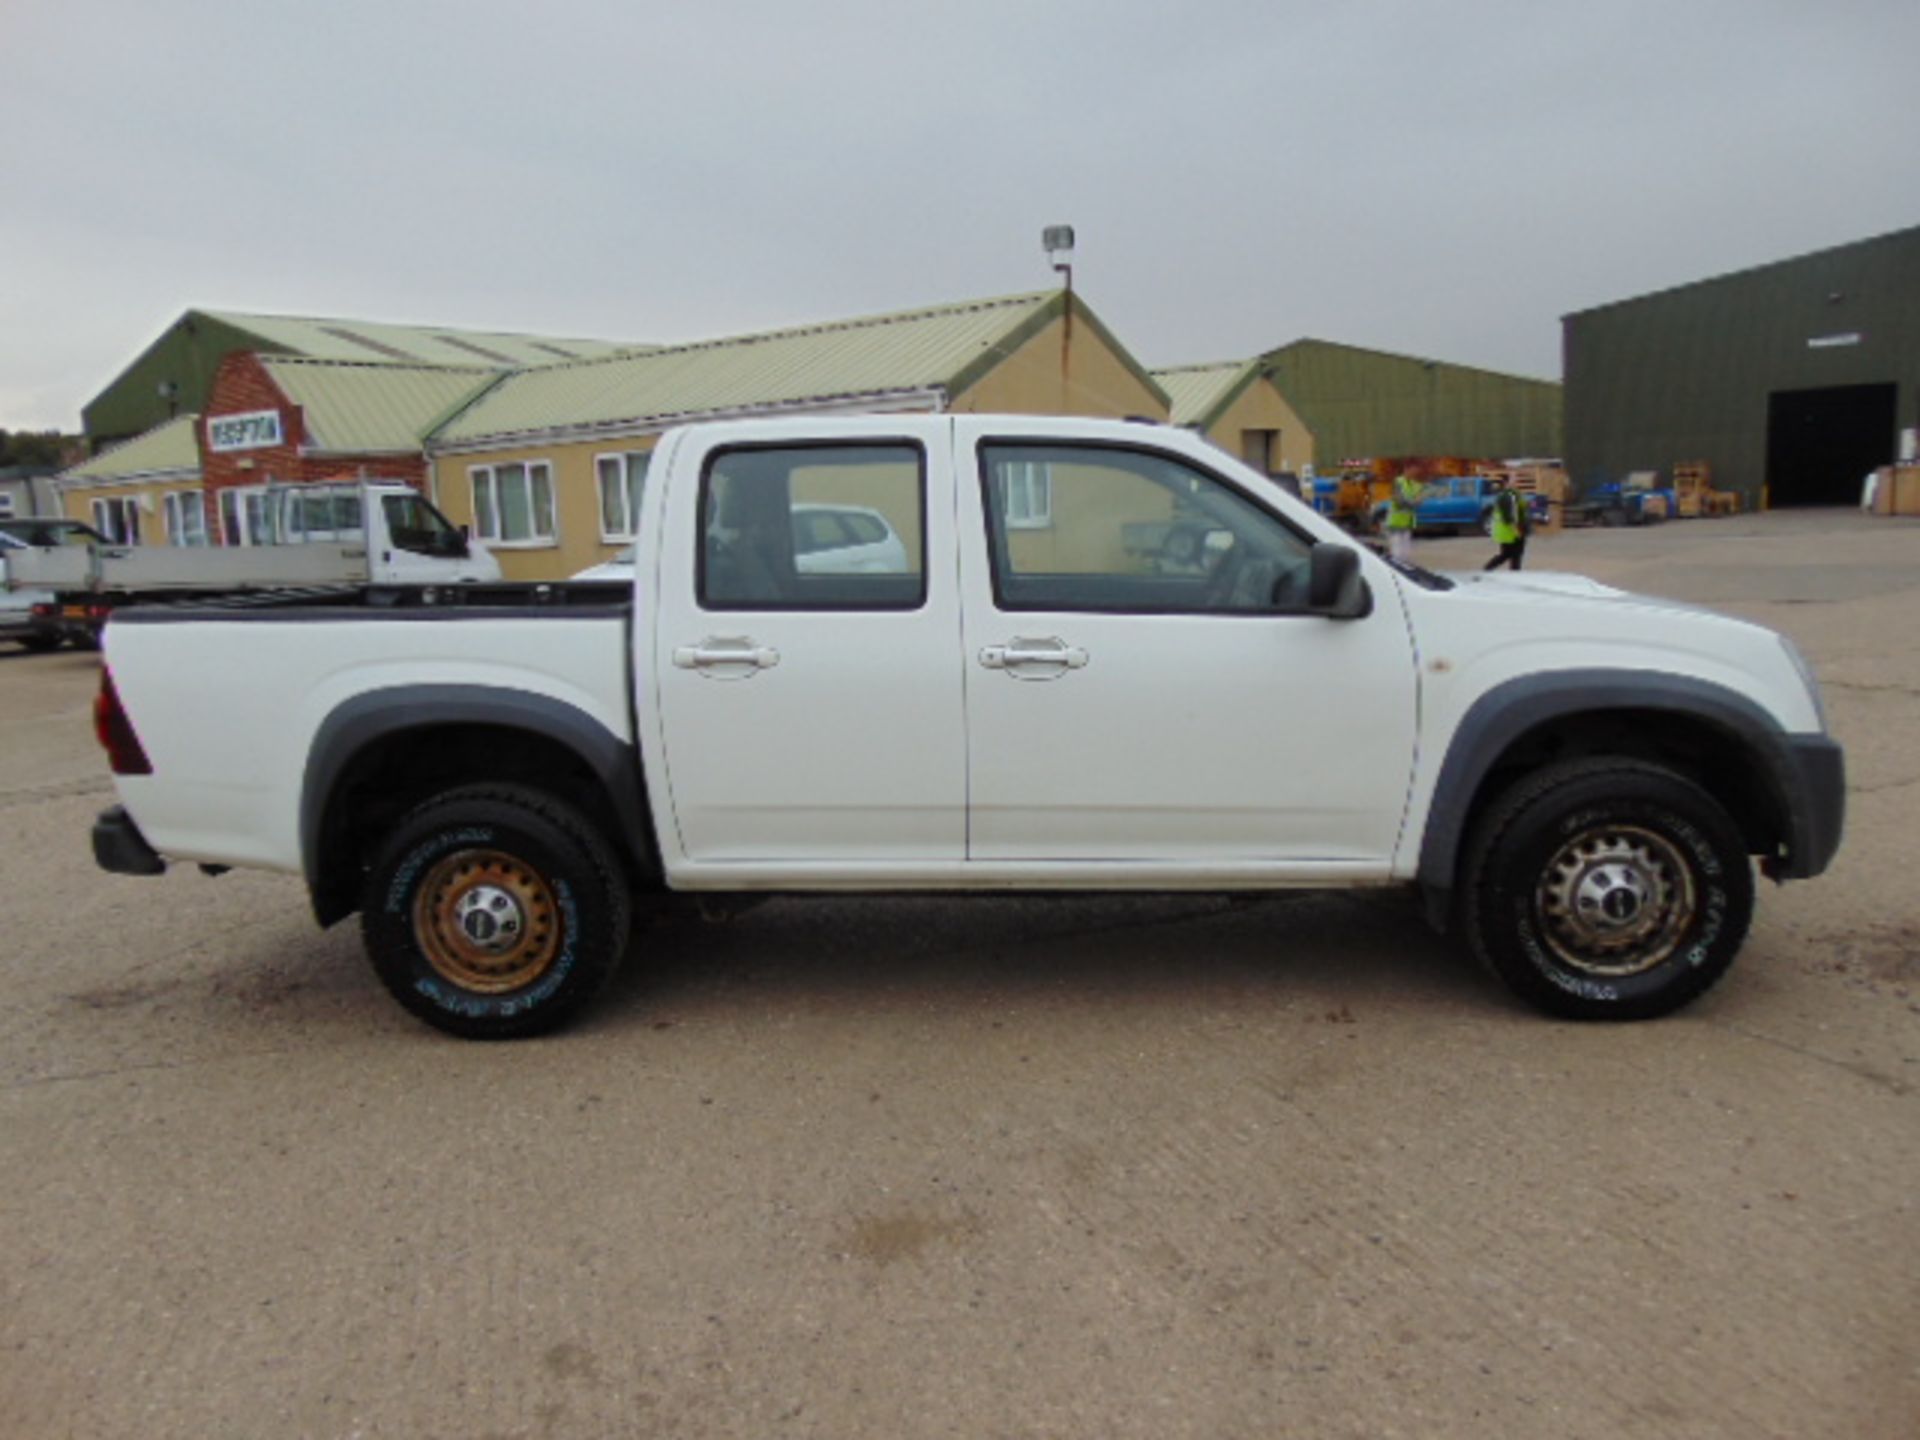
pixel 494 913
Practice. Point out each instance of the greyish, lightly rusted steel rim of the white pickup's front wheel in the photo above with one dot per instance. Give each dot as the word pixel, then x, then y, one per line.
pixel 1616 901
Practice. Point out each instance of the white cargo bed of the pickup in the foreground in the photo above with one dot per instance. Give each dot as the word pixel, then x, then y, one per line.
pixel 281 665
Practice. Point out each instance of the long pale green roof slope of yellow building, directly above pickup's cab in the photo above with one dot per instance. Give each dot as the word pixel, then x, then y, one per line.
pixel 911 352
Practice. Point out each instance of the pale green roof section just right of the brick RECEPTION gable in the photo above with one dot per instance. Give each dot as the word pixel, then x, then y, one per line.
pixel 358 408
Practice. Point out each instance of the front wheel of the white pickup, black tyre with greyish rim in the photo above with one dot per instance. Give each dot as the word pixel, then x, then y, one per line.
pixel 1606 890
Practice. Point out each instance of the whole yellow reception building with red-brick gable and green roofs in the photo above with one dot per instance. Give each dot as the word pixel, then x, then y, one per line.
pixel 542 458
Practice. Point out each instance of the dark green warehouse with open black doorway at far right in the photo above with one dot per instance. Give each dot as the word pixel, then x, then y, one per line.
pixel 1790 381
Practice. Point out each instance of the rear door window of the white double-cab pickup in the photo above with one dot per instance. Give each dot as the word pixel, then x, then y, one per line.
pixel 813 529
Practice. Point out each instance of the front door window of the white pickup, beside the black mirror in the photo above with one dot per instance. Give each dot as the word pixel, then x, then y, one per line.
pixel 1134 531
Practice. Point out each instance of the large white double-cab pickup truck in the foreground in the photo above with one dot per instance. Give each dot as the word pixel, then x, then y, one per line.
pixel 1053 688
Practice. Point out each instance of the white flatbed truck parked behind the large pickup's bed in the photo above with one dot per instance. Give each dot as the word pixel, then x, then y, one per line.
pixel 362 533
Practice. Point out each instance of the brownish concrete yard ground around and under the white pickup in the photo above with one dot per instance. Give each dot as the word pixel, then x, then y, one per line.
pixel 1001 1168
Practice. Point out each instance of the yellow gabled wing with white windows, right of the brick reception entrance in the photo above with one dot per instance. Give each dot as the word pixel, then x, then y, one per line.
pixel 546 466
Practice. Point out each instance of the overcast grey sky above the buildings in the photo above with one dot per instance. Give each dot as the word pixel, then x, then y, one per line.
pixel 1437 180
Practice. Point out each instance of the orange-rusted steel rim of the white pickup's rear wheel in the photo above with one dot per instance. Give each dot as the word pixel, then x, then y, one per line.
pixel 487 923
